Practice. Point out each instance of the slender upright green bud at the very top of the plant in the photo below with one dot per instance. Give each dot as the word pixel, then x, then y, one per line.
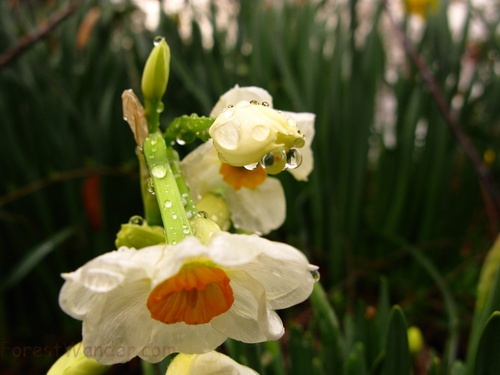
pixel 156 71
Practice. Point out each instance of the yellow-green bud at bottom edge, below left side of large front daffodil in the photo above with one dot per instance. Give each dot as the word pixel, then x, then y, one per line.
pixel 75 362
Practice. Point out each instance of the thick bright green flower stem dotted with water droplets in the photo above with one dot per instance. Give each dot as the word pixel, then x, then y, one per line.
pixel 167 193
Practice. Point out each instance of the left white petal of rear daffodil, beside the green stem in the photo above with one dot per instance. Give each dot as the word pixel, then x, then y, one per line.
pixel 201 170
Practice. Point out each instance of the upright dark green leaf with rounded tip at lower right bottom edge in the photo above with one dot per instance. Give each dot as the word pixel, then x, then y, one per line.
pixel 397 353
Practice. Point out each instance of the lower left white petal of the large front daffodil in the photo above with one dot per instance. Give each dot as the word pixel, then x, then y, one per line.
pixel 119 326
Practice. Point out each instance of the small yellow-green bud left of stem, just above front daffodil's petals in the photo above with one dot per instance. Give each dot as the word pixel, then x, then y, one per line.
pixel 138 234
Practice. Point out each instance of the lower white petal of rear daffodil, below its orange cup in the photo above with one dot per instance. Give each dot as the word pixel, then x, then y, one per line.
pixel 259 210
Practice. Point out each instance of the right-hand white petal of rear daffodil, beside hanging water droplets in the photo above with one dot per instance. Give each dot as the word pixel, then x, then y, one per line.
pixel 305 123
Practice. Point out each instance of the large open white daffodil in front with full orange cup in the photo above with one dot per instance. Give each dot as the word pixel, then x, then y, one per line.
pixel 189 297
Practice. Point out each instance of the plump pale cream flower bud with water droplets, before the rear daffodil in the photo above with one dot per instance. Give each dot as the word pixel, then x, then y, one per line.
pixel 245 133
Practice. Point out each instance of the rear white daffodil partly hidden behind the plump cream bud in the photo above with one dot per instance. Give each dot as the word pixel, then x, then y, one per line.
pixel 255 200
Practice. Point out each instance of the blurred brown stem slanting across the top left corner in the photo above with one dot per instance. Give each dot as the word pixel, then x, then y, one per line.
pixel 30 39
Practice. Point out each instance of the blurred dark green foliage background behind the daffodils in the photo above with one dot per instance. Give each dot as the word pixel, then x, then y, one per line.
pixel 395 200
